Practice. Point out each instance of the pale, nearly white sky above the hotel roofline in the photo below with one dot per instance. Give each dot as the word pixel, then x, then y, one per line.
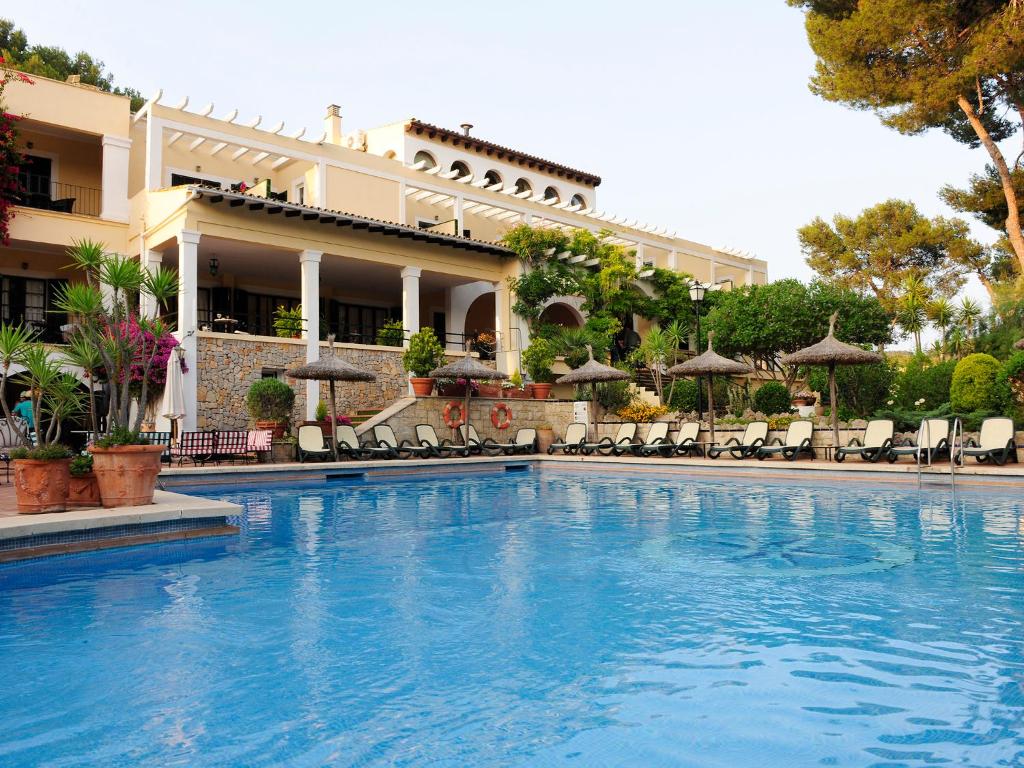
pixel 697 115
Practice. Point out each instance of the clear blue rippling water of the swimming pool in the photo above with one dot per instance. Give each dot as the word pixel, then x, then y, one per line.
pixel 534 619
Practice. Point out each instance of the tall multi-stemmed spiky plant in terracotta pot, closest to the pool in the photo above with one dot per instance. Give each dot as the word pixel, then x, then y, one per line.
pixel 136 351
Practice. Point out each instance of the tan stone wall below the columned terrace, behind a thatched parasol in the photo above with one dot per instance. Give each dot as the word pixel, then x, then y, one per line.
pixel 231 363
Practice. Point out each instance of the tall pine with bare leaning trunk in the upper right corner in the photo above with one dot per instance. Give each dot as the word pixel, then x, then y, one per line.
pixel 953 65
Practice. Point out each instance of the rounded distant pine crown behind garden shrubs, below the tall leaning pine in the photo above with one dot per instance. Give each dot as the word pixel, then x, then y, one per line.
pixel 881 249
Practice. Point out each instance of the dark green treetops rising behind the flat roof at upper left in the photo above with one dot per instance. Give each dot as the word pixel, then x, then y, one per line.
pixel 55 63
